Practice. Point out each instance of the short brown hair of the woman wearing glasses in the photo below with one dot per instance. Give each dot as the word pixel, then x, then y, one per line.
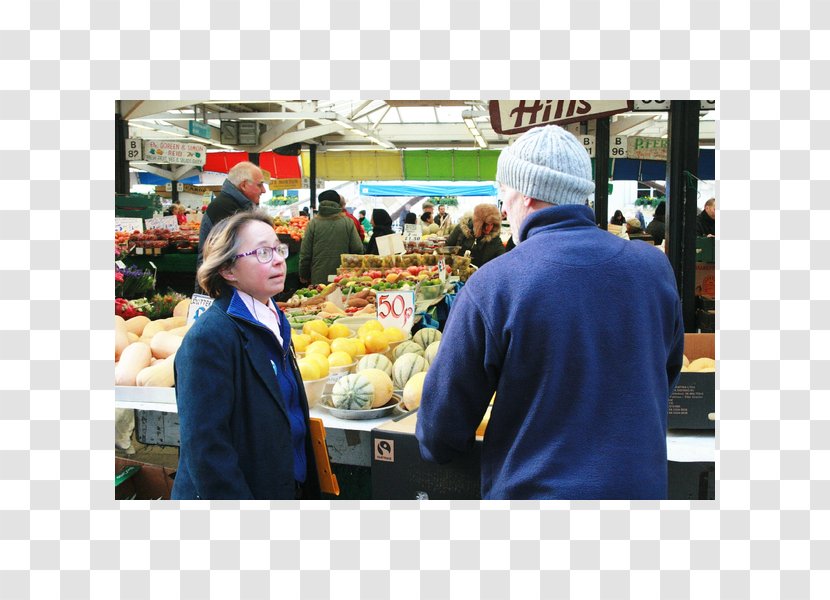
pixel 221 248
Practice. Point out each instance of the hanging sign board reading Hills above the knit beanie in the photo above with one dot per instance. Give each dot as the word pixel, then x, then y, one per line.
pixel 517 116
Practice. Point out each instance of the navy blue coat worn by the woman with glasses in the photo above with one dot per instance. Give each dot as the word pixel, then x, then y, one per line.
pixel 233 415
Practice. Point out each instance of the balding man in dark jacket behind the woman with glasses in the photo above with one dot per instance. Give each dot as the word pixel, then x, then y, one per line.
pixel 240 191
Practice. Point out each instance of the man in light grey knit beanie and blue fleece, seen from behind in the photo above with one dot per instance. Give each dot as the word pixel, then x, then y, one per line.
pixel 579 403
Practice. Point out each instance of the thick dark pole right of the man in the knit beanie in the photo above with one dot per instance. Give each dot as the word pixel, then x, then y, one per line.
pixel 681 207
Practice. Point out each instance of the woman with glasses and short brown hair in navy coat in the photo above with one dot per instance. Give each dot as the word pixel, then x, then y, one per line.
pixel 243 412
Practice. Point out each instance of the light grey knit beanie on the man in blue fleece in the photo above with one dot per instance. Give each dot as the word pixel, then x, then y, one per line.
pixel 548 164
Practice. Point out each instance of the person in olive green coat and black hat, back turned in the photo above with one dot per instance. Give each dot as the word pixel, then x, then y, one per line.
pixel 327 236
